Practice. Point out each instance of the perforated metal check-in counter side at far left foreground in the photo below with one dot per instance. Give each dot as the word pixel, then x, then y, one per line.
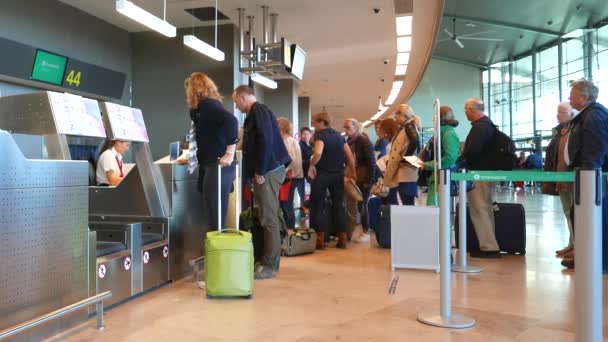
pixel 43 238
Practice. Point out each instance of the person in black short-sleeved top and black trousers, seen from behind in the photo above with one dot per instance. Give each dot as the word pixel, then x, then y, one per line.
pixel 326 171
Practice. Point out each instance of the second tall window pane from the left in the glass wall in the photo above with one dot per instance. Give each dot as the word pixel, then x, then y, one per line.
pixel 523 104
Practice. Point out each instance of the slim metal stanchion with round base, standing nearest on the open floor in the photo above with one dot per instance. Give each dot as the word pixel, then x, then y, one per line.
pixel 445 318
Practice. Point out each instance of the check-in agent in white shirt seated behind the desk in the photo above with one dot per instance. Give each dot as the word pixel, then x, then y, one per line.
pixel 110 169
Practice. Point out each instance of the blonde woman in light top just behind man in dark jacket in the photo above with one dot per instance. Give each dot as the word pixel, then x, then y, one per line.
pixel 294 169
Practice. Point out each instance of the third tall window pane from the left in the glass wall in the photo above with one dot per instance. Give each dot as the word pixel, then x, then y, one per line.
pixel 547 89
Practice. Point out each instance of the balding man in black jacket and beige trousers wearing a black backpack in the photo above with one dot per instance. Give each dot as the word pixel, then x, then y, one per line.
pixel 486 148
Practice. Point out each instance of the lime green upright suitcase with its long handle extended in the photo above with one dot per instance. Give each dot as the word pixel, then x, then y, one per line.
pixel 228 258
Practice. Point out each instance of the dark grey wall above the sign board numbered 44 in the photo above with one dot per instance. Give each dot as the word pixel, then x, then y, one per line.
pixel 57 27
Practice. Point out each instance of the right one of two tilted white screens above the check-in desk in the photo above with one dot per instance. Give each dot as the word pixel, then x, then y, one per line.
pixel 127 123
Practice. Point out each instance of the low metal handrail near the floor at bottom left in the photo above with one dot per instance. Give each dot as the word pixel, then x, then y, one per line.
pixel 98 300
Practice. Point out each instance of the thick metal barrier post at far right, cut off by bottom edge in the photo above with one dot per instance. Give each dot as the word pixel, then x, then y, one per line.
pixel 588 257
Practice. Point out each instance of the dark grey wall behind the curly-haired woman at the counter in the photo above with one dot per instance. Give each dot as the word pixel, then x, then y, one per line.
pixel 160 66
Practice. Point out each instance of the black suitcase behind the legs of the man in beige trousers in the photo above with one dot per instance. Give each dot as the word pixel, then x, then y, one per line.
pixel 510 223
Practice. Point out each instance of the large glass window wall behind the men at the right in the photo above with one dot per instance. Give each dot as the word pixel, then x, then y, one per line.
pixel 536 82
